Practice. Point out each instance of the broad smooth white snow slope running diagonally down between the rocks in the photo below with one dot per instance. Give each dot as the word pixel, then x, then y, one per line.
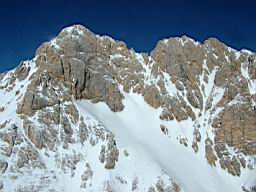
pixel 137 128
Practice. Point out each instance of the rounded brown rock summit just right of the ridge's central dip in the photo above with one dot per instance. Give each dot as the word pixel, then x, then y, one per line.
pixel 177 60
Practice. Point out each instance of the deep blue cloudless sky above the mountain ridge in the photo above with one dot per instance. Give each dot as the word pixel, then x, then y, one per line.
pixel 25 24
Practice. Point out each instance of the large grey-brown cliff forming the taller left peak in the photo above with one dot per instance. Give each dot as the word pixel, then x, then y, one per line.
pixel 81 63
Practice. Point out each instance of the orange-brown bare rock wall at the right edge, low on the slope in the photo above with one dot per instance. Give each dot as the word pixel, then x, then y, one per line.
pixel 236 127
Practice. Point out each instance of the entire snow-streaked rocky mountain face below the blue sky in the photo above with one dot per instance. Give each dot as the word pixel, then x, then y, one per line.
pixel 89 114
